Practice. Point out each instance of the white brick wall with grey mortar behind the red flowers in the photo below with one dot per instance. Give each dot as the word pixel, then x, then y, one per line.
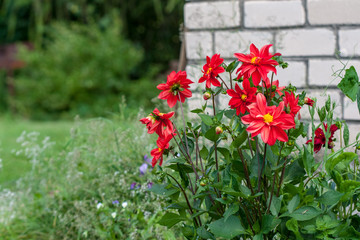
pixel 310 34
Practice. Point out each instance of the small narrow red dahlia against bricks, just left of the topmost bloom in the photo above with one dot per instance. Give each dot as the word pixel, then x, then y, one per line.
pixel 211 70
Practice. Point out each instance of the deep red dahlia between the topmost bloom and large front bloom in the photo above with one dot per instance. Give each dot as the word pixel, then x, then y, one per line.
pixel 242 98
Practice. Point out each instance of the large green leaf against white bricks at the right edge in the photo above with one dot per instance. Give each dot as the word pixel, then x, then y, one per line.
pixel 349 85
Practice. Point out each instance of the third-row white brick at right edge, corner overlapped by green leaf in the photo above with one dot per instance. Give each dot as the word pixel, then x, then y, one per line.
pixel 324 72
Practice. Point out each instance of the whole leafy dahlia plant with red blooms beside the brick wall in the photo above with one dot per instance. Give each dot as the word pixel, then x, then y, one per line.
pixel 241 172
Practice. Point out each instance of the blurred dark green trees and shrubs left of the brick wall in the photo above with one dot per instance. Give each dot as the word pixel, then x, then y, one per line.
pixel 83 57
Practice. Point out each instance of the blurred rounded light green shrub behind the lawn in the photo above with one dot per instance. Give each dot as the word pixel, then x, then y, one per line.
pixel 81 71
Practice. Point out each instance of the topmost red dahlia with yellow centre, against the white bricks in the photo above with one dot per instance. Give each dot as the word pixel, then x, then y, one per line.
pixel 257 64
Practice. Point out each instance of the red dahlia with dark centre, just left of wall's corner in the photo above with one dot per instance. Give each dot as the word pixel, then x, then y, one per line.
pixel 176 88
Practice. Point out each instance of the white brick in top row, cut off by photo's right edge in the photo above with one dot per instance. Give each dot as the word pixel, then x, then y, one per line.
pixel 333 11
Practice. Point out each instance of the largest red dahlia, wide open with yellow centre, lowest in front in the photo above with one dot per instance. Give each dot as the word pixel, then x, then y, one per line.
pixel 269 121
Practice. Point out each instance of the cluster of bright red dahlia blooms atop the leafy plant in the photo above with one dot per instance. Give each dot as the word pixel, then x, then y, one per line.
pixel 267 109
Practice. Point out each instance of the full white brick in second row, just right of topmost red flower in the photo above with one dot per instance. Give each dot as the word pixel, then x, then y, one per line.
pixel 306 42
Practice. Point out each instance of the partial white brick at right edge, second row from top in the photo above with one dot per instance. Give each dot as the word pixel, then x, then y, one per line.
pixel 349 42
